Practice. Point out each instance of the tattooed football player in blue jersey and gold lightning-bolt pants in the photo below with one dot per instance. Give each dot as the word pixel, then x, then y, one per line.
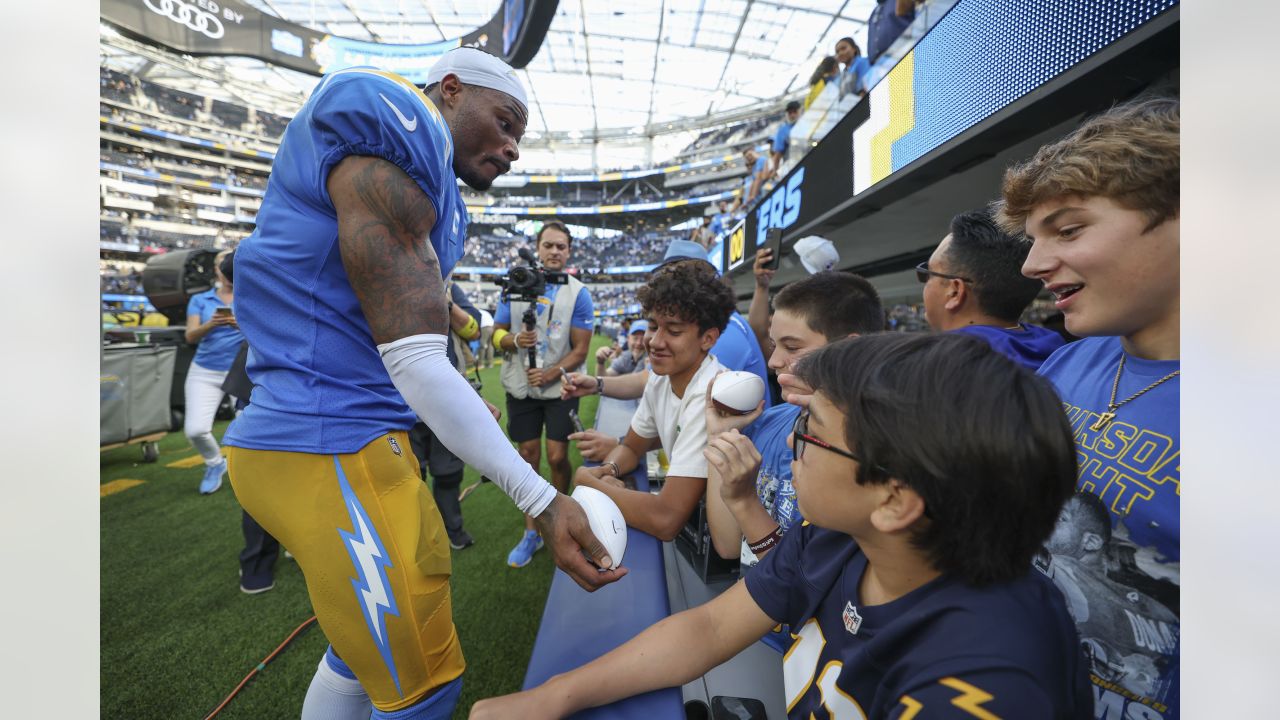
pixel 346 311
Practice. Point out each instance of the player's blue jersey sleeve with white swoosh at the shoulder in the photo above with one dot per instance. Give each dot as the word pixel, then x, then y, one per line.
pixel 365 112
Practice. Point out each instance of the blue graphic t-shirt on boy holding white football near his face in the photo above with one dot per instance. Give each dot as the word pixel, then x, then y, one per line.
pixel 769 434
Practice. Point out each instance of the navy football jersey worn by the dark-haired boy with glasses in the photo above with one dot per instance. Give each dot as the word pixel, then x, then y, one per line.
pixel 945 650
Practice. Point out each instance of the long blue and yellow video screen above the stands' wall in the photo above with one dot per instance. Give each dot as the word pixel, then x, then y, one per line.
pixel 979 60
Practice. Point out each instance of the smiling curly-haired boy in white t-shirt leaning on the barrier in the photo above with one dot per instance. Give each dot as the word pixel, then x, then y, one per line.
pixel 688 308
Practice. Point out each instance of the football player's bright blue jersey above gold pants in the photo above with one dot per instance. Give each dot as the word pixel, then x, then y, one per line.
pixel 321 385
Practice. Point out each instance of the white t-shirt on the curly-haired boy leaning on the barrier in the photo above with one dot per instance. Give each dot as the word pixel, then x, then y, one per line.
pixel 680 423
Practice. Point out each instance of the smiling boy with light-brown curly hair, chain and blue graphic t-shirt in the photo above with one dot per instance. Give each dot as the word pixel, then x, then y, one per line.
pixel 1101 208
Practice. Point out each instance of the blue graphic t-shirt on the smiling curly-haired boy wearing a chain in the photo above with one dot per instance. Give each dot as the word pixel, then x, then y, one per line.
pixel 1116 552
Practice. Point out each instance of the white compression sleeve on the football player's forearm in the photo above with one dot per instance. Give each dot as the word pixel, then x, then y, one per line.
pixel 444 399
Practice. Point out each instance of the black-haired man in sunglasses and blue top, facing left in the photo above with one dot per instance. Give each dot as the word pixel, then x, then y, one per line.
pixel 975 285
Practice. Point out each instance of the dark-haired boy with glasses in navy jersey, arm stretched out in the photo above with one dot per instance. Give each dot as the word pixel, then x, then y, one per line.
pixel 909 590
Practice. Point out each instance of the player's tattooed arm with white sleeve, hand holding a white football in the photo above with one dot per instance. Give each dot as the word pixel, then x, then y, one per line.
pixel 385 226
